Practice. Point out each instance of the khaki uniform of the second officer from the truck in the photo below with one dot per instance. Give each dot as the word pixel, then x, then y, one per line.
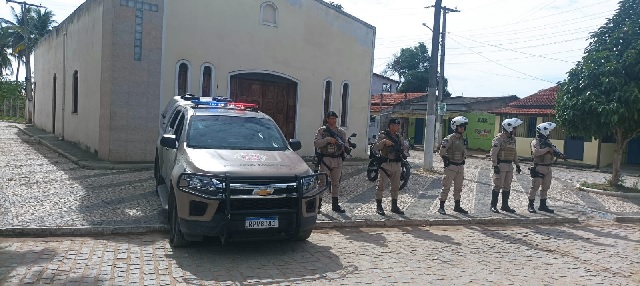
pixel 392 166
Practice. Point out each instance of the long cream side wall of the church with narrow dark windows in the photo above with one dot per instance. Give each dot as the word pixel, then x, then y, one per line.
pixel 61 55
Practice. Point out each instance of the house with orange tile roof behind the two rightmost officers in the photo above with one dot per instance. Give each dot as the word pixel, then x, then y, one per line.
pixel 538 108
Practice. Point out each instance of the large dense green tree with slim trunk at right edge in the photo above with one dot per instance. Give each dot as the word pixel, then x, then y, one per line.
pixel 601 94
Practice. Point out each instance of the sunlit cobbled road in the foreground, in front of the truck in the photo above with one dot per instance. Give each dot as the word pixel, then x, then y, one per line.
pixel 594 254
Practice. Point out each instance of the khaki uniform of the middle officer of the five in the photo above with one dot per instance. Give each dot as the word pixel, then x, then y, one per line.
pixel 454 148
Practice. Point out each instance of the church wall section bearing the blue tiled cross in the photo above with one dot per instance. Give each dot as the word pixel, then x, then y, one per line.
pixel 129 119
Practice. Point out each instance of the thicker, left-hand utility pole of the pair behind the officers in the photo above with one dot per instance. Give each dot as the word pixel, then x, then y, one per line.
pixel 429 129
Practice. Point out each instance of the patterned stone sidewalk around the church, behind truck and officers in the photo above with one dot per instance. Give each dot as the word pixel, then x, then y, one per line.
pixel 80 194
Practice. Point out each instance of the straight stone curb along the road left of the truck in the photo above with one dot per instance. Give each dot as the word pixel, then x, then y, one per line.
pixel 80 230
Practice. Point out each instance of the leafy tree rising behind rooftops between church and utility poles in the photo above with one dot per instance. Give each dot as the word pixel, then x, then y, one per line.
pixel 412 66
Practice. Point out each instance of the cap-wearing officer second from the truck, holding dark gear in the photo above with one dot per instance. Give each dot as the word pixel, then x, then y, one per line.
pixel 390 145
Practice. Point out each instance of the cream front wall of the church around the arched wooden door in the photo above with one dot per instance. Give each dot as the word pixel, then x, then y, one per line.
pixel 310 43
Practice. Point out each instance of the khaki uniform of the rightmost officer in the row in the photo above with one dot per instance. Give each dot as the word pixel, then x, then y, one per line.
pixel 542 160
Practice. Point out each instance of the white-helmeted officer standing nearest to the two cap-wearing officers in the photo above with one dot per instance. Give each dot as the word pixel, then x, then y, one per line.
pixel 453 152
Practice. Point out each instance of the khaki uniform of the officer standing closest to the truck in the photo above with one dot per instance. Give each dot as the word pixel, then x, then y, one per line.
pixel 331 162
